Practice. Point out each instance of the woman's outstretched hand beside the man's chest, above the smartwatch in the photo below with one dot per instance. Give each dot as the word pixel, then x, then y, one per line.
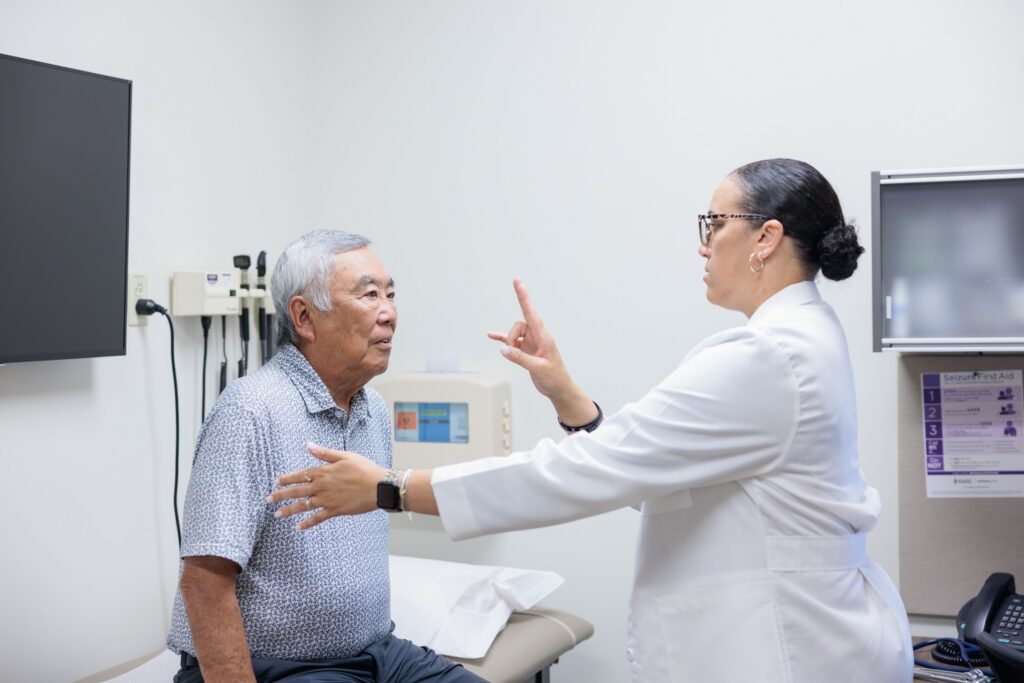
pixel 346 486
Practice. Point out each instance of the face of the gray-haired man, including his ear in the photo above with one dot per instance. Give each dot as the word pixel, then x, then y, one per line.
pixel 356 336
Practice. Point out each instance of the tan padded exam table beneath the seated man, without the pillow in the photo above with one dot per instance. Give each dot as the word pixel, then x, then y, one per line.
pixel 524 653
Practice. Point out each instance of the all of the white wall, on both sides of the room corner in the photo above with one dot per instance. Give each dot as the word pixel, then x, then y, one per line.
pixel 571 144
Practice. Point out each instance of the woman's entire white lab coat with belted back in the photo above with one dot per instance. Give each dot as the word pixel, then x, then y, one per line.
pixel 751 563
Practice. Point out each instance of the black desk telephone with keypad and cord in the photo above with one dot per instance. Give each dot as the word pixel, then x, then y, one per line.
pixel 993 621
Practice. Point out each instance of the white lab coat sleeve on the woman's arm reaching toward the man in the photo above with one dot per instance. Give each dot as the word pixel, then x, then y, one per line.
pixel 728 413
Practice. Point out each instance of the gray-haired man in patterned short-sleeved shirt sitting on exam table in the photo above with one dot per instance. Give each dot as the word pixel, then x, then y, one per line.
pixel 260 601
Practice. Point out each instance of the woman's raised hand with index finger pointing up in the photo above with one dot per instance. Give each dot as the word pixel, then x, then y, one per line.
pixel 531 347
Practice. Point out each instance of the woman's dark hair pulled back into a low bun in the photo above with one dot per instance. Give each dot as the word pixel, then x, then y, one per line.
pixel 799 197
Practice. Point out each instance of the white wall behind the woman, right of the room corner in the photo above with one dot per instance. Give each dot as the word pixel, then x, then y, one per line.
pixel 574 143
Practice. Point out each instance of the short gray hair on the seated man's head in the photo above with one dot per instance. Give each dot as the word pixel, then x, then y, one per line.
pixel 305 270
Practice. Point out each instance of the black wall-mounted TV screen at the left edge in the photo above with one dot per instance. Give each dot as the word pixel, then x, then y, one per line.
pixel 64 211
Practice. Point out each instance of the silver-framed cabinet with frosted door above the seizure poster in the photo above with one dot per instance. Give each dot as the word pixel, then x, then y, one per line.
pixel 949 261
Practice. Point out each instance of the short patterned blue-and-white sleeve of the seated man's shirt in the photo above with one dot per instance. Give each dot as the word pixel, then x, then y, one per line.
pixel 226 505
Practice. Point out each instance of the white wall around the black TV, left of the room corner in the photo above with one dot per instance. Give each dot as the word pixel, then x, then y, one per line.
pixel 222 164
